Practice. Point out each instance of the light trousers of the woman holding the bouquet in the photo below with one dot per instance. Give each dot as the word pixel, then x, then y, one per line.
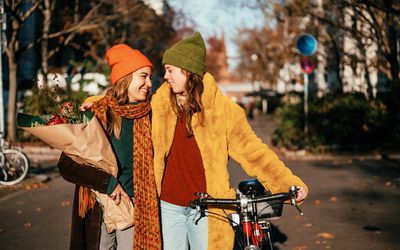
pixel 119 239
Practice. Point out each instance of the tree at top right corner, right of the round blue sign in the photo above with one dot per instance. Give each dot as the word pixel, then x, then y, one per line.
pixel 366 23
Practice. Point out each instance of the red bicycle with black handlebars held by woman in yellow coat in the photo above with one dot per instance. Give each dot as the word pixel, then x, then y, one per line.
pixel 256 207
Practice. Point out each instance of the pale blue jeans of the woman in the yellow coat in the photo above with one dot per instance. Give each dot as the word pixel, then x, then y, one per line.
pixel 179 229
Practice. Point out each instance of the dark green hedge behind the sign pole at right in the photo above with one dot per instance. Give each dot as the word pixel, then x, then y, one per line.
pixel 336 121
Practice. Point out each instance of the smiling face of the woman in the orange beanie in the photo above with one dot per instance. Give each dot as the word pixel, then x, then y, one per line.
pixel 140 86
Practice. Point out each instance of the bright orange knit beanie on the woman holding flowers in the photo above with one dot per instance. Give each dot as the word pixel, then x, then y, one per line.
pixel 124 60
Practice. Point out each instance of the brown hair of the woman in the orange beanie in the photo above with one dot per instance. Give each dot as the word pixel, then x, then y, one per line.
pixel 120 93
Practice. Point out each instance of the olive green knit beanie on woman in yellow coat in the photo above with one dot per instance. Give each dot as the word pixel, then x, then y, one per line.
pixel 188 54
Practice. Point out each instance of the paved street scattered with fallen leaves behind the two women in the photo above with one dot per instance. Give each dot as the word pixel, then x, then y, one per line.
pixel 353 204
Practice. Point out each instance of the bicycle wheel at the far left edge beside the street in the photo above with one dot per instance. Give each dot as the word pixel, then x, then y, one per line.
pixel 15 167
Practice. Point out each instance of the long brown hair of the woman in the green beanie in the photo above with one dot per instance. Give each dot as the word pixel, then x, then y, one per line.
pixel 194 87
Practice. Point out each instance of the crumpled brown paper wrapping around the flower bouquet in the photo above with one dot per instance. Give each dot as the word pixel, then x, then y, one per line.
pixel 88 144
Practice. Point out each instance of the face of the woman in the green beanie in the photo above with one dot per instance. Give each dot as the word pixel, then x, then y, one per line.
pixel 176 78
